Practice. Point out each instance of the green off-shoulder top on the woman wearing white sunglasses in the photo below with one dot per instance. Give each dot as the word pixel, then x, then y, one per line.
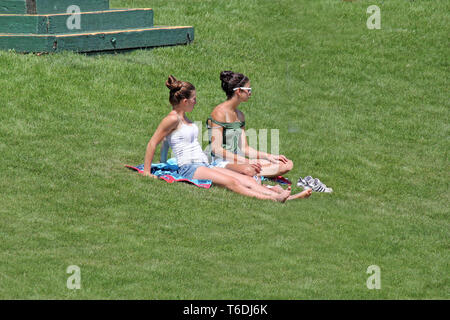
pixel 231 135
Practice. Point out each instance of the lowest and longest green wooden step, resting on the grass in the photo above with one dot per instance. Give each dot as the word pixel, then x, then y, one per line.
pixel 98 41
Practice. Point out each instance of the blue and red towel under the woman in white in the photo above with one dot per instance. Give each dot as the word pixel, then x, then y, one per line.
pixel 168 171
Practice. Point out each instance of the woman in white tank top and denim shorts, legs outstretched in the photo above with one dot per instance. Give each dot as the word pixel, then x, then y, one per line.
pixel 181 134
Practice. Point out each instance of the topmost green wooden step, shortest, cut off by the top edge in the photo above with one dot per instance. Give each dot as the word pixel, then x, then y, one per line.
pixel 50 6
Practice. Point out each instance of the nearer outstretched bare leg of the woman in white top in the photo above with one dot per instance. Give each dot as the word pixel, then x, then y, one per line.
pixel 235 185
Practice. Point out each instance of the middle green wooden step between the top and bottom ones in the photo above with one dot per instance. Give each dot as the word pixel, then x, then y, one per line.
pixel 89 21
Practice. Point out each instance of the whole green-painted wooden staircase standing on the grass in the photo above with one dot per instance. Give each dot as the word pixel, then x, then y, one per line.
pixel 81 26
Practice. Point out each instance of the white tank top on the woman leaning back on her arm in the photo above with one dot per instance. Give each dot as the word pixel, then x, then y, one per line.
pixel 185 145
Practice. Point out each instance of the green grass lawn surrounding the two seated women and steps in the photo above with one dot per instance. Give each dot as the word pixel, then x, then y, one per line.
pixel 367 111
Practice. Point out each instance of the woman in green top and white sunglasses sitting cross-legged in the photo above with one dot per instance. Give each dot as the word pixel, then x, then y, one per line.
pixel 226 127
